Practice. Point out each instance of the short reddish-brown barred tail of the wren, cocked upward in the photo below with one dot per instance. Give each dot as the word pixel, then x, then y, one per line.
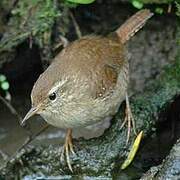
pixel 133 24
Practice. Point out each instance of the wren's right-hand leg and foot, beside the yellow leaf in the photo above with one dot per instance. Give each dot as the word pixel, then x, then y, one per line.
pixel 128 119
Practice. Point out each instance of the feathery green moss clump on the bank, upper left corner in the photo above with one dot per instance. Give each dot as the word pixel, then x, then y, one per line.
pixel 29 19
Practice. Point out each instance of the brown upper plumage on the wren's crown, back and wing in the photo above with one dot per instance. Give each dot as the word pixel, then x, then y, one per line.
pixel 96 58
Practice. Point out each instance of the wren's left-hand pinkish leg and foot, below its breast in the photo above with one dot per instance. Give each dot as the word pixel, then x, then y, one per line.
pixel 68 146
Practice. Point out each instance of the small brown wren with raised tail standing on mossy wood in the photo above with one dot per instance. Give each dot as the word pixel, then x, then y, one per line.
pixel 87 81
